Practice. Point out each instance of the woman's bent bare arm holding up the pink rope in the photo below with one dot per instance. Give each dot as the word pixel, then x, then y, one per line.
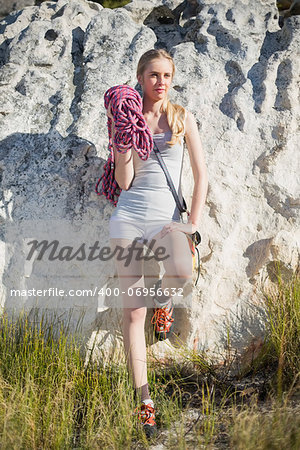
pixel 124 170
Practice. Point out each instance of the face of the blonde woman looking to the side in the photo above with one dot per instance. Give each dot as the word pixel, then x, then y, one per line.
pixel 157 78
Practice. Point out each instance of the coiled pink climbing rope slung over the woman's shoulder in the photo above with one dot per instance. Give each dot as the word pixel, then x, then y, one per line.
pixel 131 131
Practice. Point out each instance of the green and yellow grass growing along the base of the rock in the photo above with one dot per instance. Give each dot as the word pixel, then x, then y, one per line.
pixel 52 397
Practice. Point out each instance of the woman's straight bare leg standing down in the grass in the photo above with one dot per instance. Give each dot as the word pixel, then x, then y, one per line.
pixel 134 314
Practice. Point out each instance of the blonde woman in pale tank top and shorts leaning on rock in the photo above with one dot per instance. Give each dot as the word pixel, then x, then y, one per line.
pixel 146 210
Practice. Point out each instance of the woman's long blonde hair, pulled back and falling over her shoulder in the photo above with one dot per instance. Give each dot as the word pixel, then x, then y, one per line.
pixel 175 113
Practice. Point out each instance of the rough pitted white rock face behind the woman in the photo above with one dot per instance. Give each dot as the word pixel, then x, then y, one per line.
pixel 237 71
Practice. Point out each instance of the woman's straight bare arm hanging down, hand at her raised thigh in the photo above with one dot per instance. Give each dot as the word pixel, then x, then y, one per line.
pixel 197 160
